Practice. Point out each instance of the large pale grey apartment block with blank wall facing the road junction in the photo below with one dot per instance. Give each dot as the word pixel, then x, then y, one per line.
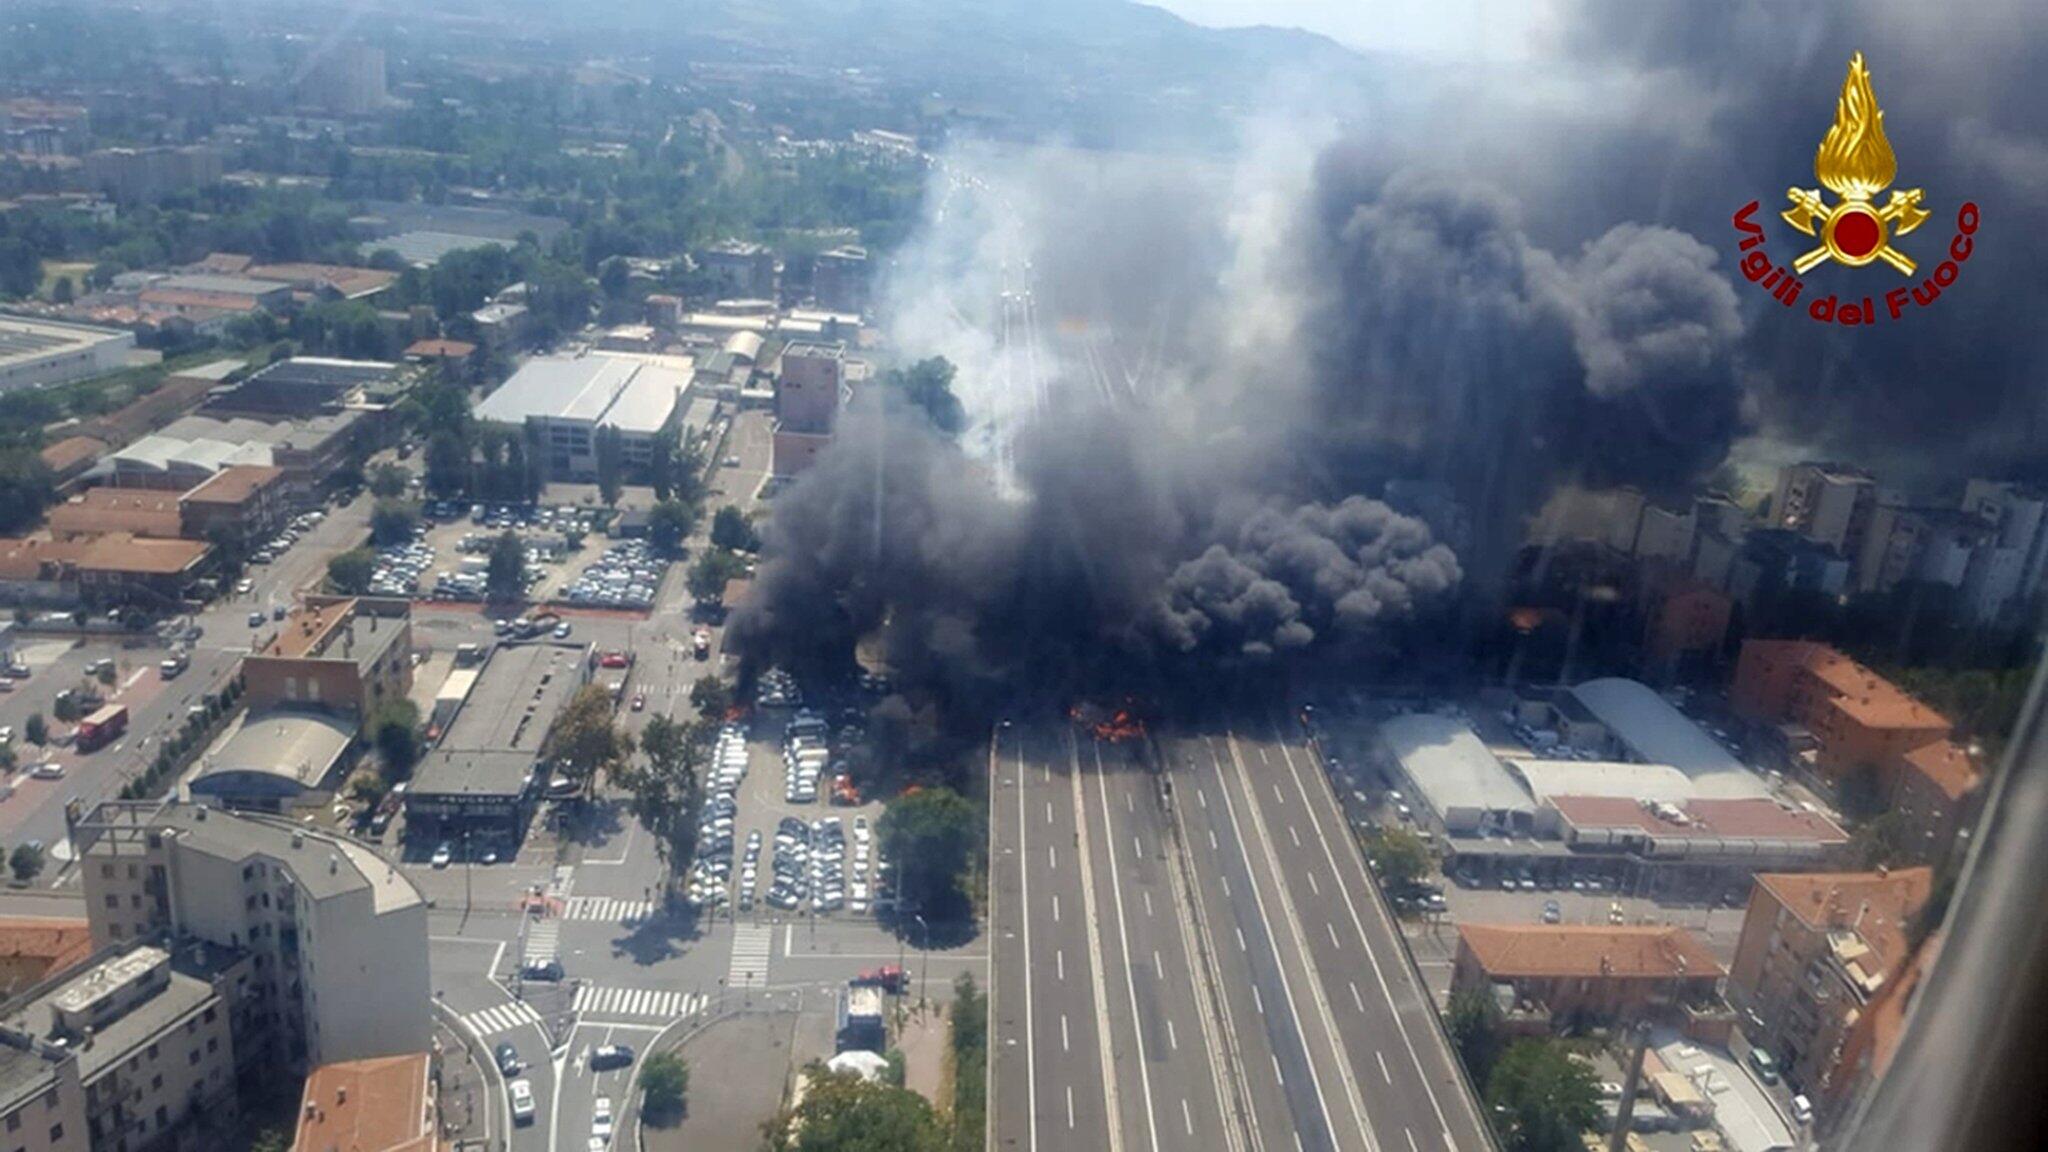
pixel 337 936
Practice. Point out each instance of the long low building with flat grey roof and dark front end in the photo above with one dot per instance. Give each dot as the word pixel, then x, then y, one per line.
pixel 478 784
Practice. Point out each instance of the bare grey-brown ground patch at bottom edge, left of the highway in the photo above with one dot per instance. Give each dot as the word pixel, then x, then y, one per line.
pixel 738 1073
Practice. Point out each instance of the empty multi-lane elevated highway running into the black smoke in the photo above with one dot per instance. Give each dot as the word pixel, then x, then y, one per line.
pixel 1189 954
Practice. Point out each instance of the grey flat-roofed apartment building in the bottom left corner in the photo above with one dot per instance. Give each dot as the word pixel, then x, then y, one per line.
pixel 132 1055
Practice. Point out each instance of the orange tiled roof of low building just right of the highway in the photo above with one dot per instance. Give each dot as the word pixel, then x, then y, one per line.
pixel 1627 952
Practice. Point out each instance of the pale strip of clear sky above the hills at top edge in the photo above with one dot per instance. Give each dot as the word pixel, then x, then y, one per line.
pixel 1486 30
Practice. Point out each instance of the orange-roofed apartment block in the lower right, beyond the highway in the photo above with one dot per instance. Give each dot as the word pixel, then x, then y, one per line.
pixel 1816 950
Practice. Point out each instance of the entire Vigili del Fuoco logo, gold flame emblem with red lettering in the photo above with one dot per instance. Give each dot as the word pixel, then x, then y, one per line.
pixel 1854 163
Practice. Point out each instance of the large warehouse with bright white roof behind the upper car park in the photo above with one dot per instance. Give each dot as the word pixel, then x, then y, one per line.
pixel 564 403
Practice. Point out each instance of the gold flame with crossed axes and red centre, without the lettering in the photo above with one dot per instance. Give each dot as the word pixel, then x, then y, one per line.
pixel 1857 163
